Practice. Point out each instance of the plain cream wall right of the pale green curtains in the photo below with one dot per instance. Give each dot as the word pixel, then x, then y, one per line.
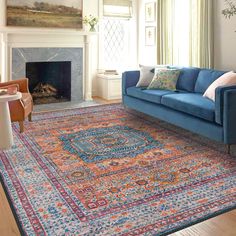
pixel 224 39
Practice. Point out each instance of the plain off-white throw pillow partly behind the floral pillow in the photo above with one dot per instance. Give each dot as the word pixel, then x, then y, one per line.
pixel 146 75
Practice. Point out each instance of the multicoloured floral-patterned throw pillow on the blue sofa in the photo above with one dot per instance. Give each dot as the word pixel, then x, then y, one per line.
pixel 165 79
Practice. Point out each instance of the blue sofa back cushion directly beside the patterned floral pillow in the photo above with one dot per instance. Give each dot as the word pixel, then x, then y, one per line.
pixel 187 79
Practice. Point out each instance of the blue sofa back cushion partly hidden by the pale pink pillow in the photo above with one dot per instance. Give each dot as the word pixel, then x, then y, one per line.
pixel 205 78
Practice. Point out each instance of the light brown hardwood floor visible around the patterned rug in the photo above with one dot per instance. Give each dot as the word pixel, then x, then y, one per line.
pixel 222 225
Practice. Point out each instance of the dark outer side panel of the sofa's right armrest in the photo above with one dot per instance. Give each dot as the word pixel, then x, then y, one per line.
pixel 229 115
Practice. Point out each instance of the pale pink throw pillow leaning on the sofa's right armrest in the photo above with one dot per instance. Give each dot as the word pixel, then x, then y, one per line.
pixel 226 79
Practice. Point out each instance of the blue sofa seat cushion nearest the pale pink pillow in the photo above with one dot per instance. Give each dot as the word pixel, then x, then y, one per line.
pixel 191 103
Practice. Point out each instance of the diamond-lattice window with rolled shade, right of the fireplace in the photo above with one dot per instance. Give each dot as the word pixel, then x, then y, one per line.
pixel 115 34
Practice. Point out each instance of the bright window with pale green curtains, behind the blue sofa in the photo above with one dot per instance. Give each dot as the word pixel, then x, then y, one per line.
pixel 185 32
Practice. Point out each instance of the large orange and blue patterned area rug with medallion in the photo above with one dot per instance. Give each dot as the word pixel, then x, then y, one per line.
pixel 106 170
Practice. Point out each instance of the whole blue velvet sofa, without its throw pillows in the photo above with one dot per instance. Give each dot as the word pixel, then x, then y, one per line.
pixel 186 107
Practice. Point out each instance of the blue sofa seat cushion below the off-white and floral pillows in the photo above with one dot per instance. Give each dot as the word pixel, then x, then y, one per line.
pixel 148 95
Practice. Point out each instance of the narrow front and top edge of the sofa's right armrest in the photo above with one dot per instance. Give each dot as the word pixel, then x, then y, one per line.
pixel 219 102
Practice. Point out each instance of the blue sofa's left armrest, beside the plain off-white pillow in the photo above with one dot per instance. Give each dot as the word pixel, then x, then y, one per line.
pixel 129 79
